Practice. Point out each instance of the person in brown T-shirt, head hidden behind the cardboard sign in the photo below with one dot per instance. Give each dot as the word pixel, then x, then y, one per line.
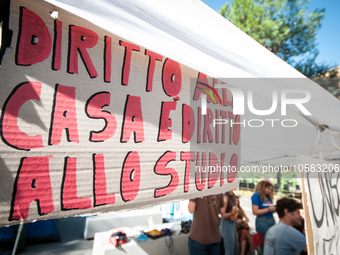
pixel 205 235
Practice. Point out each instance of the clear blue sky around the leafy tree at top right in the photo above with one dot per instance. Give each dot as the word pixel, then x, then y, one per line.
pixel 328 37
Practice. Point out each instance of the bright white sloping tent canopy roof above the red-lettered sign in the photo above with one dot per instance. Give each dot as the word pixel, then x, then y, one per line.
pixel 194 35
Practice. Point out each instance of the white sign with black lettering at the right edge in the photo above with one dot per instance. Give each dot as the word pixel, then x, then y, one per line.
pixel 321 201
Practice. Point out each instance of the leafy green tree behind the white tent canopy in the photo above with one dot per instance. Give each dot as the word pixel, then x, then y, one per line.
pixel 282 26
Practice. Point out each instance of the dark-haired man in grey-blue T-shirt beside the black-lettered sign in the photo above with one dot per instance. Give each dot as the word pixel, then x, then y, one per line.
pixel 283 238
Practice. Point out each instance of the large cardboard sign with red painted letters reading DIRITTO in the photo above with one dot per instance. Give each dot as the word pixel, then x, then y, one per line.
pixel 92 123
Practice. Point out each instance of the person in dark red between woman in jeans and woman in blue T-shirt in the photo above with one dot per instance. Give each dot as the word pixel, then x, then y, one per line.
pixel 242 229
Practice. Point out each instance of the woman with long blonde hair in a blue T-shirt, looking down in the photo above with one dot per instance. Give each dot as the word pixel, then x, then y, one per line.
pixel 263 206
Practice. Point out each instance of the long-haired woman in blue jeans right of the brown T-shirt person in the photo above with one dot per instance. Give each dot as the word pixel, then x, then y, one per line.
pixel 228 224
